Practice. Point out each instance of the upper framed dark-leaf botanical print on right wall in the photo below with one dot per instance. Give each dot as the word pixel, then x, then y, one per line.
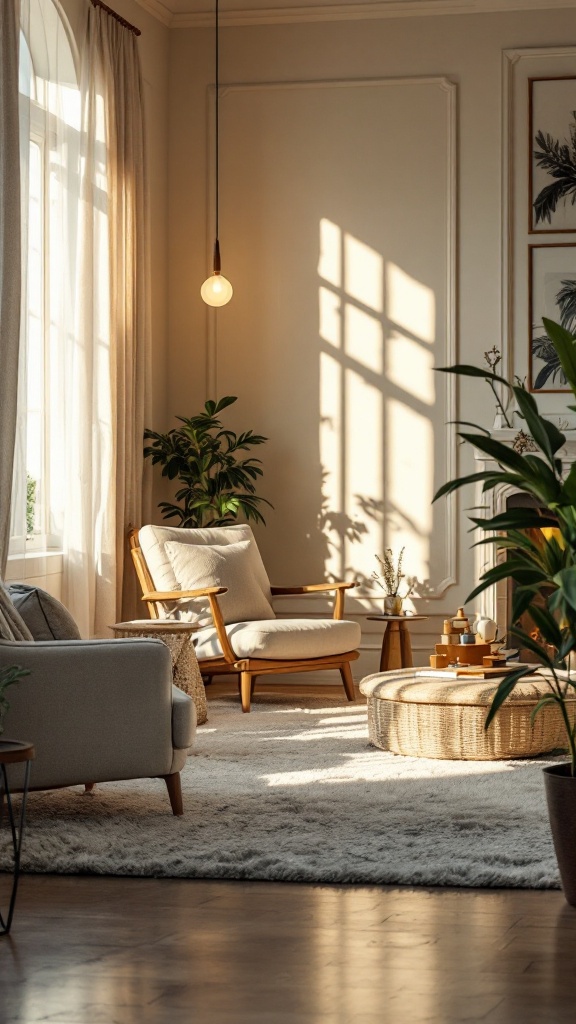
pixel 553 155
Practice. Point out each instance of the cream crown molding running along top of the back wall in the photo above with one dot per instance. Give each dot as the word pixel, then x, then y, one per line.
pixel 348 13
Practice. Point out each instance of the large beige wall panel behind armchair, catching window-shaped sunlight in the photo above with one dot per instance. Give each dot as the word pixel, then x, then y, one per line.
pixel 348 138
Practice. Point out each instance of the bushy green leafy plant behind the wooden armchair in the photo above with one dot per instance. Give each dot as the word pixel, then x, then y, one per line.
pixel 218 485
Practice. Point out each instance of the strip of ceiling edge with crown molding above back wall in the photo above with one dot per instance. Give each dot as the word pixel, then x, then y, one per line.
pixel 196 14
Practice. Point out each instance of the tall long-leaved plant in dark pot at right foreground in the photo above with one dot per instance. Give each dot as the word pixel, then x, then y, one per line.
pixel 541 547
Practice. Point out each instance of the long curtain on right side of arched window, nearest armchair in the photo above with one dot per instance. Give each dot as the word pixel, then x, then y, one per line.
pixel 113 359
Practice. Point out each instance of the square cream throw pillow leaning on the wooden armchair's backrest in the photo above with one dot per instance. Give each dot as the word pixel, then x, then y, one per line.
pixel 221 566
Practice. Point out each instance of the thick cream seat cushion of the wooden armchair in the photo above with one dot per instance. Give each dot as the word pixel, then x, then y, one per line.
pixel 285 639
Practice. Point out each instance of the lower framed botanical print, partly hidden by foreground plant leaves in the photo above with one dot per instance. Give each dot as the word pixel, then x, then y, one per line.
pixel 553 294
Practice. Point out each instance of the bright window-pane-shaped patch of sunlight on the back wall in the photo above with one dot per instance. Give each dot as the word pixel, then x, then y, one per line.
pixel 378 330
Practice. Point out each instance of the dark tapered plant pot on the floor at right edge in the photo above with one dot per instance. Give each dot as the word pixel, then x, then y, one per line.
pixel 561 797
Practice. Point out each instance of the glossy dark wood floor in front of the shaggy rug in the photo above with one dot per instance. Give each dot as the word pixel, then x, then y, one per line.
pixel 100 951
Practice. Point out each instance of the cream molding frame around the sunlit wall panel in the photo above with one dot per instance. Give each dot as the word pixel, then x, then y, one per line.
pixel 449 577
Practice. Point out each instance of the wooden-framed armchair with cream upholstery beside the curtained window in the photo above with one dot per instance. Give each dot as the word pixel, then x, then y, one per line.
pixel 251 649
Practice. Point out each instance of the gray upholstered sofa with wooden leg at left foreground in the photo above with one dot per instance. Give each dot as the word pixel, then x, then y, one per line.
pixel 99 711
